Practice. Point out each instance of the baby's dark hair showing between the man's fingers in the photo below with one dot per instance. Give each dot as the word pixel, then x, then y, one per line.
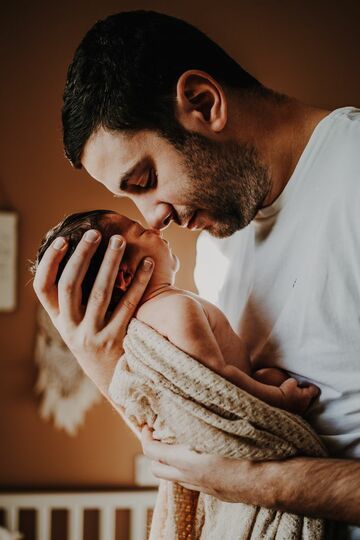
pixel 72 228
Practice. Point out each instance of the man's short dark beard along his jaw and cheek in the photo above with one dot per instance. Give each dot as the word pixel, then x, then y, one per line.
pixel 227 180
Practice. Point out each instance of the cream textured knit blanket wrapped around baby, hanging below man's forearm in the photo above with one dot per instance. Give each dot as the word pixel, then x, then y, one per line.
pixel 158 384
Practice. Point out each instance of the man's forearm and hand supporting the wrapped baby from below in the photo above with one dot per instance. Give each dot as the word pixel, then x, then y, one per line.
pixel 320 487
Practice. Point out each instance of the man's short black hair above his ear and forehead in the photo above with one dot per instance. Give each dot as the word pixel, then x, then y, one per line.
pixel 124 74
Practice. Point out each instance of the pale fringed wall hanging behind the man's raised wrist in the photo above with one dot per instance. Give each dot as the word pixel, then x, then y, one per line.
pixel 66 392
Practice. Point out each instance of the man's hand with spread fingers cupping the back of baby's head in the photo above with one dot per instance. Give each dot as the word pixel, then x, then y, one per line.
pixel 93 337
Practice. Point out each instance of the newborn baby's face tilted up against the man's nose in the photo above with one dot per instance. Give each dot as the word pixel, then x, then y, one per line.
pixel 141 242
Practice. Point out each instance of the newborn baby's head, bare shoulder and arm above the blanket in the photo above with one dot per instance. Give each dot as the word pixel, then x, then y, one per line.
pixel 191 323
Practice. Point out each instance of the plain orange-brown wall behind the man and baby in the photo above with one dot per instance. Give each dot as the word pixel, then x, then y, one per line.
pixel 306 49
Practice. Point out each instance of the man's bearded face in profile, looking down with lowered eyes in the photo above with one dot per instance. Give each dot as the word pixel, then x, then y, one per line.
pixel 200 184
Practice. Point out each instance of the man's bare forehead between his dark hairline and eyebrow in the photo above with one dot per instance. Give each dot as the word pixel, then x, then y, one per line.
pixel 112 152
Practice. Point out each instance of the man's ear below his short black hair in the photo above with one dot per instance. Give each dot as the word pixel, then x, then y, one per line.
pixel 201 102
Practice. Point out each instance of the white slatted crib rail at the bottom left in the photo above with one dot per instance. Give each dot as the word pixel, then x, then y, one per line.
pixel 137 502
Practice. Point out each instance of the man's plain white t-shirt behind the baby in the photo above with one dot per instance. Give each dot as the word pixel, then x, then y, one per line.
pixel 291 280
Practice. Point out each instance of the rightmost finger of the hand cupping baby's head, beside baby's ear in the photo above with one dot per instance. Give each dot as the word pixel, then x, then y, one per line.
pixel 128 304
